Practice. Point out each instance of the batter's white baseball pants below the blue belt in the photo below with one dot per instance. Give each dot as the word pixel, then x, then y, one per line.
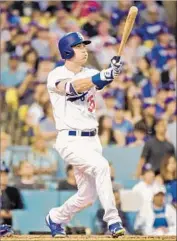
pixel 92 175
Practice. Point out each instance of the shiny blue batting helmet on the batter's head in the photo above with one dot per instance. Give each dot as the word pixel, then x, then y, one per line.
pixel 68 41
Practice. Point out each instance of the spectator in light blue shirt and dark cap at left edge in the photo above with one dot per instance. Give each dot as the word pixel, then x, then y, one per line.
pixel 13 75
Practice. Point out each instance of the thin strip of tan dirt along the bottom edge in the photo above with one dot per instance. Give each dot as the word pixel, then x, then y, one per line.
pixel 86 237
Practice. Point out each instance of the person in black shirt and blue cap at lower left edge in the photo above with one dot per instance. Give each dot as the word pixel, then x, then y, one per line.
pixel 10 197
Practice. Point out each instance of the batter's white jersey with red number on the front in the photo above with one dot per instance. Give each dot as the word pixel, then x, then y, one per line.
pixel 72 113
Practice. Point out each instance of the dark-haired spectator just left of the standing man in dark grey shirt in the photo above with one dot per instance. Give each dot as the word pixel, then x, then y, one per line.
pixel 139 135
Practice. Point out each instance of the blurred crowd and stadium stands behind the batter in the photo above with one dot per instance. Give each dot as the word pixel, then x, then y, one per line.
pixel 136 113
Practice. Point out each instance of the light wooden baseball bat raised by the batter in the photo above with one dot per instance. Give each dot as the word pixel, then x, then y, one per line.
pixel 128 27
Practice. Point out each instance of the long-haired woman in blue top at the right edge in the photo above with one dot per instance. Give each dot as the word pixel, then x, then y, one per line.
pixel 168 172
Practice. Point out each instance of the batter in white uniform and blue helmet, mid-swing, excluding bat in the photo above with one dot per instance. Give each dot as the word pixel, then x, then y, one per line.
pixel 72 89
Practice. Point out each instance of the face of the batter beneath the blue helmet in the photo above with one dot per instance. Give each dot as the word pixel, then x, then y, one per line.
pixel 81 54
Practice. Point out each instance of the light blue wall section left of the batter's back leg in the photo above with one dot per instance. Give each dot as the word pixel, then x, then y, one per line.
pixel 37 205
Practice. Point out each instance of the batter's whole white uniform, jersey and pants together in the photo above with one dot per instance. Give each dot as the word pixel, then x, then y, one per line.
pixel 91 169
